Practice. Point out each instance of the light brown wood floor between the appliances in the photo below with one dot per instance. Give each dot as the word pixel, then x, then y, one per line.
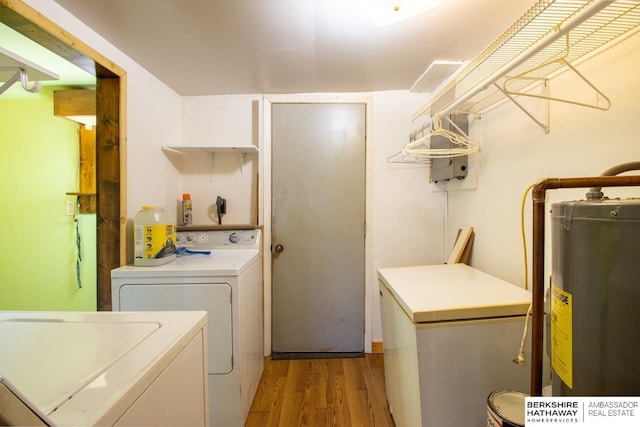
pixel 321 392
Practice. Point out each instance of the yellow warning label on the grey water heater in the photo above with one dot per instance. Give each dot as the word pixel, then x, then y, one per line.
pixel 562 335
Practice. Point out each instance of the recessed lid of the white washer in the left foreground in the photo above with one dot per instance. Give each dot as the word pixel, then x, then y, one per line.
pixel 49 361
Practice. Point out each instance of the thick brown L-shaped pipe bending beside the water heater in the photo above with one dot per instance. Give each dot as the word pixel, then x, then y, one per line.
pixel 539 198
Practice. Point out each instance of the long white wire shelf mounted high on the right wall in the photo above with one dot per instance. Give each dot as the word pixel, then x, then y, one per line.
pixel 533 46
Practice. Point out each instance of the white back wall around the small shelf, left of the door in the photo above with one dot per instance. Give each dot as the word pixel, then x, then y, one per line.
pixel 221 121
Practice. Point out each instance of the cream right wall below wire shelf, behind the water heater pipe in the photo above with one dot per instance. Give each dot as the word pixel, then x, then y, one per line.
pixel 517 153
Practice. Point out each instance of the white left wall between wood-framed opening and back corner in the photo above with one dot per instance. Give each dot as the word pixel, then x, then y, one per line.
pixel 153 120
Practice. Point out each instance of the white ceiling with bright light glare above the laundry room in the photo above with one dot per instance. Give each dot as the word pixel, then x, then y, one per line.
pixel 212 47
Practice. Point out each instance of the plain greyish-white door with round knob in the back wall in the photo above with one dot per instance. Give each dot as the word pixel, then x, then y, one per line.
pixel 318 222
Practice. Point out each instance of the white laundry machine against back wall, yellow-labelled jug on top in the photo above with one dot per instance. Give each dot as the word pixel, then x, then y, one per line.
pixel 227 284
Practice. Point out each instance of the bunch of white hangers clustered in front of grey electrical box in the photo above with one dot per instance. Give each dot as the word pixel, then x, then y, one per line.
pixel 421 147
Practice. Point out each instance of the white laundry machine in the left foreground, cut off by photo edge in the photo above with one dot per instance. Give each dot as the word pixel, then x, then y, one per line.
pixel 86 369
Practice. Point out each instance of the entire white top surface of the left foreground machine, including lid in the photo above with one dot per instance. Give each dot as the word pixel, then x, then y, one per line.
pixel 76 367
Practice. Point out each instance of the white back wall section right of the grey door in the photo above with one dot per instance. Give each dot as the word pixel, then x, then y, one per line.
pixel 407 211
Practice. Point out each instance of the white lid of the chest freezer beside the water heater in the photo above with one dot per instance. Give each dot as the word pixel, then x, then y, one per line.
pixel 451 292
